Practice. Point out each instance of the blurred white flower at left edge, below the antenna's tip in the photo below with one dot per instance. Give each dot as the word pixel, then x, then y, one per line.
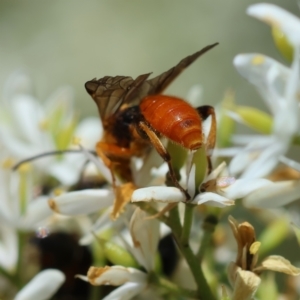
pixel 19 211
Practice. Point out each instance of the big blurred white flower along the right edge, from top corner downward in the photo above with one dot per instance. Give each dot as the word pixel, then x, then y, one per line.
pixel 279 88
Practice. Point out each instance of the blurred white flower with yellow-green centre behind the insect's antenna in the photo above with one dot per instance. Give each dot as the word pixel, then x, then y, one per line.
pixel 28 128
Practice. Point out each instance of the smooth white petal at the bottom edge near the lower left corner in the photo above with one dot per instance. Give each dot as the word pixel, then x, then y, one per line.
pixel 42 286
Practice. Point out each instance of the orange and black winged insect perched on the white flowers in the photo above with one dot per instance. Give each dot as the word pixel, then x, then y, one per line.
pixel 135 115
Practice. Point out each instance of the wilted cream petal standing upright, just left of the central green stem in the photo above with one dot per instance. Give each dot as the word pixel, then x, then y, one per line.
pixel 145 236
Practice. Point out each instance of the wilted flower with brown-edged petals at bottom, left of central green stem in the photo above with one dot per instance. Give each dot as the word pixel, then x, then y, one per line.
pixel 145 236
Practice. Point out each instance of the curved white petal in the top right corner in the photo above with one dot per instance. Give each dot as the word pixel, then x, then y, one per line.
pixel 274 15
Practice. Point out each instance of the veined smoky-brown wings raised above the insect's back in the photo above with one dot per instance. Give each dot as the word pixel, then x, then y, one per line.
pixel 110 93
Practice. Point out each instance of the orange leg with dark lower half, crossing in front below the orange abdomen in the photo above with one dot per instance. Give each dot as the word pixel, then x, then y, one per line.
pixel 162 151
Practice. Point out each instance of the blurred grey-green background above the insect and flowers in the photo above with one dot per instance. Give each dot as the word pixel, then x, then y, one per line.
pixel 70 42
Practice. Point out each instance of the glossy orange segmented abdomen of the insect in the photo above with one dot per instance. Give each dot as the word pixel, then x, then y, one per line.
pixel 174 118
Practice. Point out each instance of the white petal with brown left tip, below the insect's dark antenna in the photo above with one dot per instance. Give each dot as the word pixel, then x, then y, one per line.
pixel 82 202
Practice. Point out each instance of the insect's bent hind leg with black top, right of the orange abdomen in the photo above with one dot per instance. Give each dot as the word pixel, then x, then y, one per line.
pixel 205 111
